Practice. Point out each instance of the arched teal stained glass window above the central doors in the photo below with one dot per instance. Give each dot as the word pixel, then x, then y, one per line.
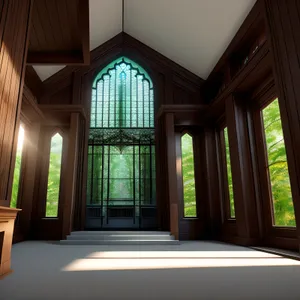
pixel 122 97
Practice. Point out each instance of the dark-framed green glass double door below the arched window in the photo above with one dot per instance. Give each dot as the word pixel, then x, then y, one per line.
pixel 121 187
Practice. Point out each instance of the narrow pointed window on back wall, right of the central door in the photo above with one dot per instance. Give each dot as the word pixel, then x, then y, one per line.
pixel 188 176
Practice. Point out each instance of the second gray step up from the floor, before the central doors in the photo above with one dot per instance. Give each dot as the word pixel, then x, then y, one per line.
pixel 129 237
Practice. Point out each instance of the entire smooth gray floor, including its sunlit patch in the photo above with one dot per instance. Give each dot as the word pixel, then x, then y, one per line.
pixel 192 270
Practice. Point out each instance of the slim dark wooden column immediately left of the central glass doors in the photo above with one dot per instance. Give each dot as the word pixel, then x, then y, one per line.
pixel 70 179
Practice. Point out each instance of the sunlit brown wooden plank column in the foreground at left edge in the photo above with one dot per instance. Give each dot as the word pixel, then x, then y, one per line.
pixel 14 27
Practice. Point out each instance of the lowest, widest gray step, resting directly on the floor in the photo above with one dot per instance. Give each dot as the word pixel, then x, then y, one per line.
pixel 119 242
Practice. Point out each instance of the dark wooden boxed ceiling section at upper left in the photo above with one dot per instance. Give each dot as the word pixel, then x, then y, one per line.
pixel 59 33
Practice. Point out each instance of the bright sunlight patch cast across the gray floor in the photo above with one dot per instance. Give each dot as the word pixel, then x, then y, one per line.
pixel 147 260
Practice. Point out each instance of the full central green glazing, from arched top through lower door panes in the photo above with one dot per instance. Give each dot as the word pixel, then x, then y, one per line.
pixel 123 100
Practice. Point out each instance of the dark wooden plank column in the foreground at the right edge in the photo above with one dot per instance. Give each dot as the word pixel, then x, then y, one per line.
pixel 283 20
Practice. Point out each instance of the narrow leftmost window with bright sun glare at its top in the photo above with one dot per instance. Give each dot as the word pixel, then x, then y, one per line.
pixel 17 170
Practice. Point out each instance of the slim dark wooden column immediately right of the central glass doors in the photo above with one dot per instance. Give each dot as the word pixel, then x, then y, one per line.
pixel 172 176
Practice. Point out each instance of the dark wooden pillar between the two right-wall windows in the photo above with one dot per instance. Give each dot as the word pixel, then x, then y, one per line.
pixel 243 184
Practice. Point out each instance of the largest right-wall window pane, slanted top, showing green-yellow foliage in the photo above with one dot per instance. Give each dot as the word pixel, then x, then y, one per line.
pixel 277 168
